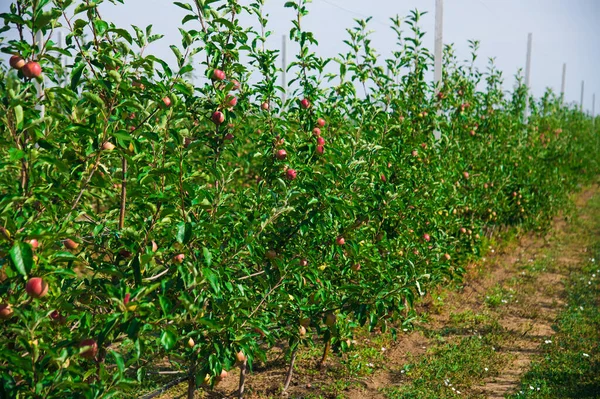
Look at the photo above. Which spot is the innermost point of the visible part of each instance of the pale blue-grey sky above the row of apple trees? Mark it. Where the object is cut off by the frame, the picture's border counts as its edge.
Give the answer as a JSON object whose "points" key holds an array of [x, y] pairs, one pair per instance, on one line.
{"points": [[563, 31]]}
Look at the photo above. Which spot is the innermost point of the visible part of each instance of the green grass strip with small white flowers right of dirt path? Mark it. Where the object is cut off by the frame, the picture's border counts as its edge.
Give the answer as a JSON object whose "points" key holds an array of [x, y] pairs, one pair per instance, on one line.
{"points": [[569, 366]]}
